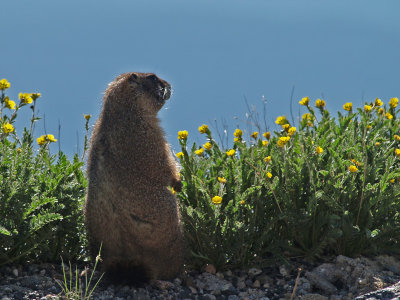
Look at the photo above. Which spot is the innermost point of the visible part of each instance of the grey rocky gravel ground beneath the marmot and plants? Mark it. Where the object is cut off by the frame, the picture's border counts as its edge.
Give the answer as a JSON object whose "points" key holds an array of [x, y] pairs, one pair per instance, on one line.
{"points": [[340, 278]]}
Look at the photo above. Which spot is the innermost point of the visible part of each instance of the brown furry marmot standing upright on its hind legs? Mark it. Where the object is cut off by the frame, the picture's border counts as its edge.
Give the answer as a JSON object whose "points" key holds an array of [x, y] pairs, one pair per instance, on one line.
{"points": [[129, 206]]}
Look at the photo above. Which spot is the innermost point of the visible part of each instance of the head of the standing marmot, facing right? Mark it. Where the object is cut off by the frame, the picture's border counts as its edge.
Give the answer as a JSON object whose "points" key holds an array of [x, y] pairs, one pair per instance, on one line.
{"points": [[145, 90]]}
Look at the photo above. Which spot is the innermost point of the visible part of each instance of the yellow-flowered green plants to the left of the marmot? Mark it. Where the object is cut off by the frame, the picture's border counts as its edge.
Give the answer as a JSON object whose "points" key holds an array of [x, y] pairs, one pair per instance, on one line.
{"points": [[41, 194]]}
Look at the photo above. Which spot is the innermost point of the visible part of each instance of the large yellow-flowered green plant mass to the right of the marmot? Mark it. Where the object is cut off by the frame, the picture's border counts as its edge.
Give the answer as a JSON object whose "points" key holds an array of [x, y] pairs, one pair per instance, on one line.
{"points": [[328, 187]]}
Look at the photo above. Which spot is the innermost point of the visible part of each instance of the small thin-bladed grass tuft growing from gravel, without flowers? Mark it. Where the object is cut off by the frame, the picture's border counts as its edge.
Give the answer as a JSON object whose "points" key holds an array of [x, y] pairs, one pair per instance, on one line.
{"points": [[76, 289]]}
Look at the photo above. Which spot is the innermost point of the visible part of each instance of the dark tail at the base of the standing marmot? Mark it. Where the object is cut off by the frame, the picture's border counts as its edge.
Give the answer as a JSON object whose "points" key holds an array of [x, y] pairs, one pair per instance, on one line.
{"points": [[125, 274]]}
